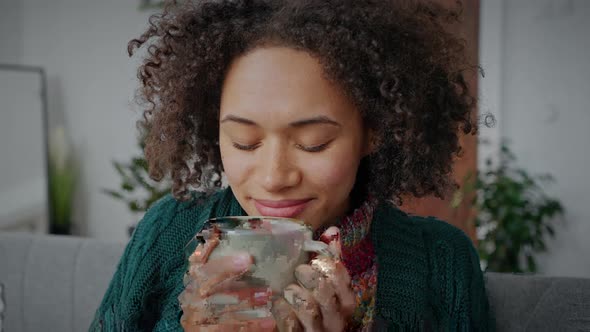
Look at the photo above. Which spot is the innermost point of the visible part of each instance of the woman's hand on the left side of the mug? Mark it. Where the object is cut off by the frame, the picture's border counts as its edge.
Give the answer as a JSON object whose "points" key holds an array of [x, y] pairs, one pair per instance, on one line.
{"points": [[216, 280]]}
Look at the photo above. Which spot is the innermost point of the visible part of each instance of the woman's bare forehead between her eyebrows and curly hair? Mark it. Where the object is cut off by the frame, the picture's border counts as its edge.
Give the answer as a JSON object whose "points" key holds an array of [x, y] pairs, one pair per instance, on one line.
{"points": [[281, 82]]}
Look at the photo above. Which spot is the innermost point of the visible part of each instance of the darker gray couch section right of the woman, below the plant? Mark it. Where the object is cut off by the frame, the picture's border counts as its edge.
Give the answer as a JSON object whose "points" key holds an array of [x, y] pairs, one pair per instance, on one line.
{"points": [[537, 303]]}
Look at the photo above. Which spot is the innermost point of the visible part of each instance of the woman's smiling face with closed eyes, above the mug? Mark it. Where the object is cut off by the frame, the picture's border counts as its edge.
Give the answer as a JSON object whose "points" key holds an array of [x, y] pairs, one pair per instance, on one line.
{"points": [[290, 141]]}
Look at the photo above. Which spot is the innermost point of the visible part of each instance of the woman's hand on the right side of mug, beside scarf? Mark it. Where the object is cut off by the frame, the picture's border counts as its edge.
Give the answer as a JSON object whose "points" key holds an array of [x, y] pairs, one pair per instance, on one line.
{"points": [[323, 299]]}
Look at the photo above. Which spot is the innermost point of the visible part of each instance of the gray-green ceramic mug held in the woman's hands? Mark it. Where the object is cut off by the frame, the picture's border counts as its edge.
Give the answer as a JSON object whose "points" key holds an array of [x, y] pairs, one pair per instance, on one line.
{"points": [[277, 245]]}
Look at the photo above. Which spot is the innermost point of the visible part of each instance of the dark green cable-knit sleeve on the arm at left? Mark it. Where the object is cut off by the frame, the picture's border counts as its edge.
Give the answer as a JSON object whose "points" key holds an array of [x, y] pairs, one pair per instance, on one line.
{"points": [[128, 304]]}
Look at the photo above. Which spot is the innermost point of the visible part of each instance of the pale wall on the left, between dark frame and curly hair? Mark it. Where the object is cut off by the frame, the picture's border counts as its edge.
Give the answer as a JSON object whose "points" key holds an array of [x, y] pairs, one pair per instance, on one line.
{"points": [[82, 45]]}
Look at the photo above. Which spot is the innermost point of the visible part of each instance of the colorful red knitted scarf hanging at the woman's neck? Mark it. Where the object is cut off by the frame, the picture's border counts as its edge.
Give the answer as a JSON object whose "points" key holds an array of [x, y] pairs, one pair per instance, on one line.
{"points": [[358, 255]]}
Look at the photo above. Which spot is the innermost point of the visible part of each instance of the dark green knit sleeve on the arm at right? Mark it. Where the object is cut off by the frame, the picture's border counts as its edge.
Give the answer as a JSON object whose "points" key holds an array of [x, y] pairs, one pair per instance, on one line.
{"points": [[458, 290]]}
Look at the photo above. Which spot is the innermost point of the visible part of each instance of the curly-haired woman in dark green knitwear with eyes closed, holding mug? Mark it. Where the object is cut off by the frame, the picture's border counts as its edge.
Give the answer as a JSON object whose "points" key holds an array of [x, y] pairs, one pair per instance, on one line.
{"points": [[328, 111]]}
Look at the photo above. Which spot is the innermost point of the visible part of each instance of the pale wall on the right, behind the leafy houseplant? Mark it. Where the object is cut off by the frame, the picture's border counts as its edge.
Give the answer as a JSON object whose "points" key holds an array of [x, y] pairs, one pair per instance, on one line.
{"points": [[536, 55]]}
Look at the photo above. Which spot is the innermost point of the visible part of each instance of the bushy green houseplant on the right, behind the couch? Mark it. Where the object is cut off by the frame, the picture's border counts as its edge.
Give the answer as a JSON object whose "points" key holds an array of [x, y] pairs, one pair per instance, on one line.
{"points": [[515, 215]]}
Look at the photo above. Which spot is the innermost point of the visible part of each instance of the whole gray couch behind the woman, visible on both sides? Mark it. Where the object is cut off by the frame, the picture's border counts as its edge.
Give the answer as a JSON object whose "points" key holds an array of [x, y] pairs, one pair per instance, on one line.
{"points": [[55, 284]]}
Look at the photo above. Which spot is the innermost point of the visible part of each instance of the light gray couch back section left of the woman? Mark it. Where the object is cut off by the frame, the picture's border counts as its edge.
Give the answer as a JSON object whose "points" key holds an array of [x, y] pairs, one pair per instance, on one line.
{"points": [[54, 283]]}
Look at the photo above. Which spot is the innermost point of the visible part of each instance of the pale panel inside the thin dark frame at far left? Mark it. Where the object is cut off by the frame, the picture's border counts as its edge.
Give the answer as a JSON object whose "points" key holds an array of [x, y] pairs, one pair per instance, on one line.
{"points": [[23, 172]]}
